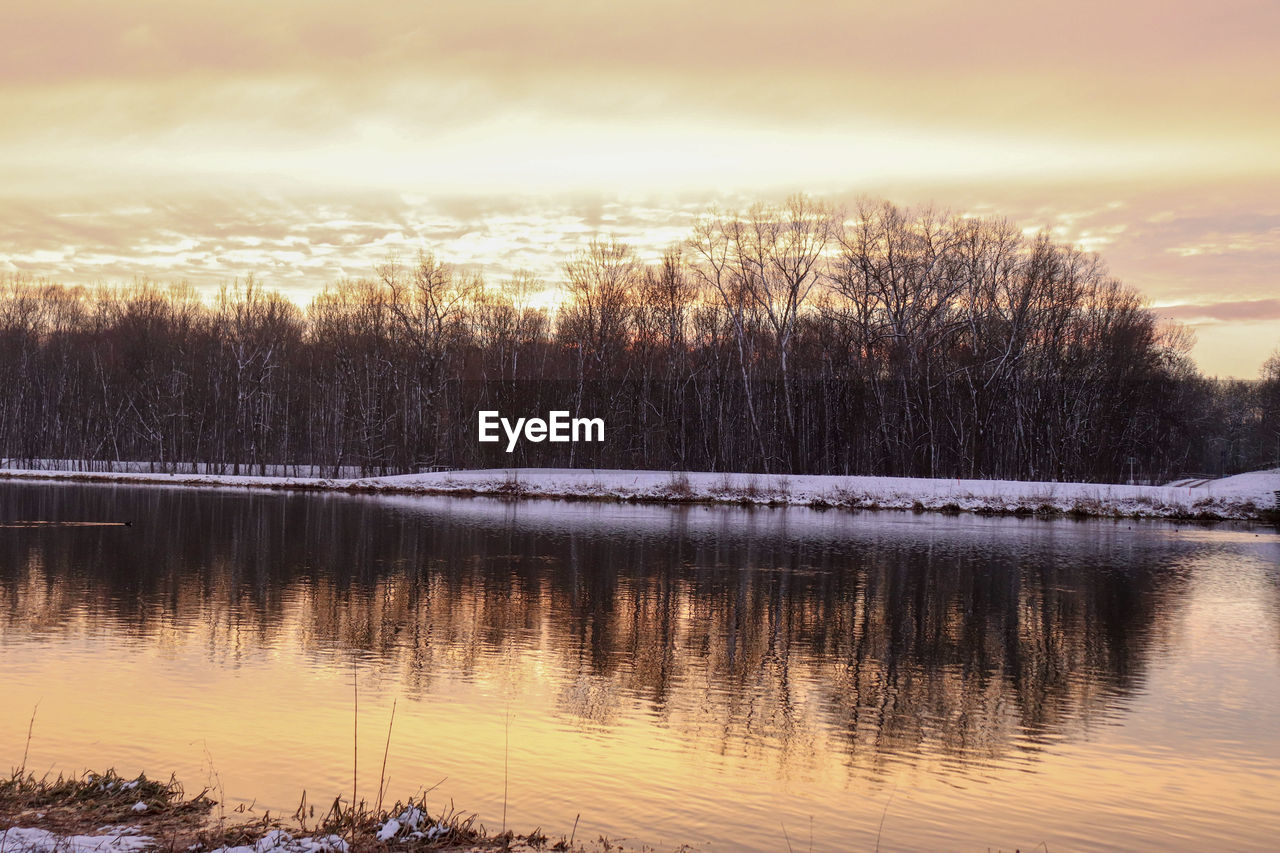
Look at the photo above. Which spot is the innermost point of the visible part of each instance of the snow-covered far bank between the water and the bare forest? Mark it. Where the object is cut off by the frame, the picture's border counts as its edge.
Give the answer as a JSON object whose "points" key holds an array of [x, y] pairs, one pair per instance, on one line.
{"points": [[1245, 496]]}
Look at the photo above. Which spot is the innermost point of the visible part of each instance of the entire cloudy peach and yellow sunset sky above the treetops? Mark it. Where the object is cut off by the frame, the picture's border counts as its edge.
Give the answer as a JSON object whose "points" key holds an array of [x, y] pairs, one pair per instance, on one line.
{"points": [[307, 142]]}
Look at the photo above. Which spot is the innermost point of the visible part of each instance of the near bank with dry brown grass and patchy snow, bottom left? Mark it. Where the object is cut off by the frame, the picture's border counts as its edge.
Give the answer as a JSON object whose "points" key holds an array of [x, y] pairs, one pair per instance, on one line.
{"points": [[107, 814]]}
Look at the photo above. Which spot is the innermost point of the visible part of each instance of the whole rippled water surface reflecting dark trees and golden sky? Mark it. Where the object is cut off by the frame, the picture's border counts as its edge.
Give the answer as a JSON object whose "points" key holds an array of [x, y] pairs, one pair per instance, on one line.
{"points": [[726, 670]]}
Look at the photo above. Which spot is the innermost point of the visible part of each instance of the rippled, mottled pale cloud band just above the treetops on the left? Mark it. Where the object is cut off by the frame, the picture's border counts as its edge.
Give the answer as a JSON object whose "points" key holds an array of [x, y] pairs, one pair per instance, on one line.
{"points": [[301, 244]]}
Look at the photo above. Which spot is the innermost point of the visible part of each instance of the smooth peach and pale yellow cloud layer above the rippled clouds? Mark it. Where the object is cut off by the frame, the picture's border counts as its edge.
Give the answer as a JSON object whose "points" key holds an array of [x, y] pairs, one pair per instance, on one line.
{"points": [[1188, 86]]}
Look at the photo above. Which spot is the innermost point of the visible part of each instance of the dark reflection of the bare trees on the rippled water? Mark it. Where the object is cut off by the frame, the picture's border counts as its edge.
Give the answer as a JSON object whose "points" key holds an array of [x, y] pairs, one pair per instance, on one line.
{"points": [[886, 638]]}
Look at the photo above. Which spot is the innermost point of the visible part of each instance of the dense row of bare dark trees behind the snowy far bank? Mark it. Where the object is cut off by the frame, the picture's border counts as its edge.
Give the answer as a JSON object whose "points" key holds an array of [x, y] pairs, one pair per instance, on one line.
{"points": [[785, 339]]}
